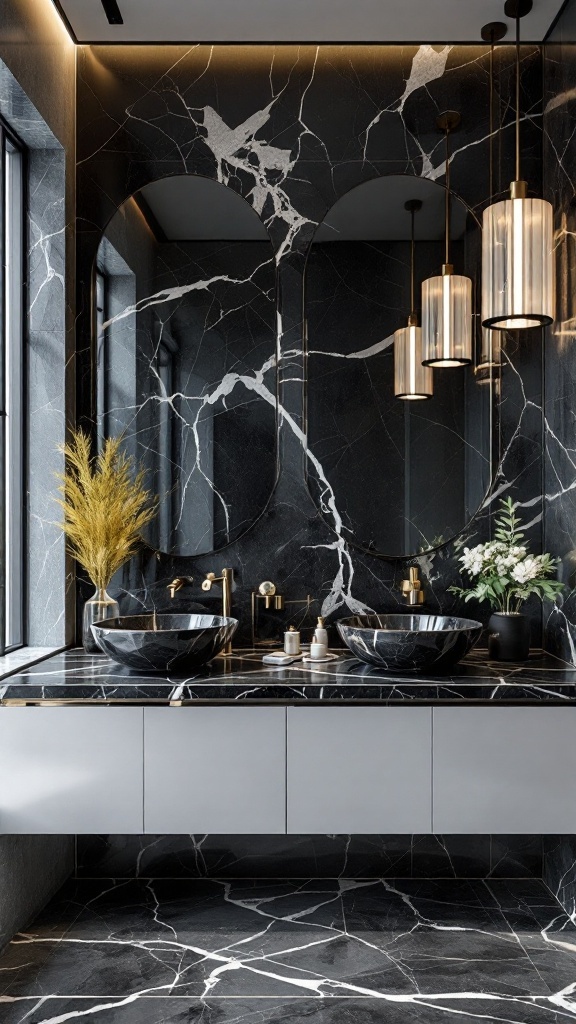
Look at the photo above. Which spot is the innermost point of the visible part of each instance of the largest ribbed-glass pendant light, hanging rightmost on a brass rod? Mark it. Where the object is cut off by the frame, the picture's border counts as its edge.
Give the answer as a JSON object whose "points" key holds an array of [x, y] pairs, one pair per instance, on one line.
{"points": [[518, 282]]}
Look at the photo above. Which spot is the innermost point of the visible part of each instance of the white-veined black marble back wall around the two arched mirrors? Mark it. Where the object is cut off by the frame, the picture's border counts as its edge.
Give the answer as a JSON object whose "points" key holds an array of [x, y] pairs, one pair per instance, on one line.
{"points": [[292, 130]]}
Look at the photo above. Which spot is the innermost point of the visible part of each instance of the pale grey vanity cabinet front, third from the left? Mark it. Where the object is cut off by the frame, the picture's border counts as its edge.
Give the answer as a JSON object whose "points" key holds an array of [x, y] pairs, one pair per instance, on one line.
{"points": [[359, 771]]}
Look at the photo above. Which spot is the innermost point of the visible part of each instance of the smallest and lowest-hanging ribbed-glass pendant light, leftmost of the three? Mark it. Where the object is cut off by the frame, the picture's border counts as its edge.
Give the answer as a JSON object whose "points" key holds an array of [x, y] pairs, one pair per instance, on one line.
{"points": [[413, 381]]}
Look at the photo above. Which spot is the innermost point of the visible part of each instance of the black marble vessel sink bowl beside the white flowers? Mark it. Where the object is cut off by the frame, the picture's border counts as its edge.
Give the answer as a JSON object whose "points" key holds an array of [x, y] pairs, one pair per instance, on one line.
{"points": [[410, 644]]}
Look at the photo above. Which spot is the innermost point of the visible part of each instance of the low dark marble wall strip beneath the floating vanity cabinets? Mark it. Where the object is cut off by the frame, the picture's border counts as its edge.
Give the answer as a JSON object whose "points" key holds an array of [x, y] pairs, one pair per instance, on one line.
{"points": [[303, 857]]}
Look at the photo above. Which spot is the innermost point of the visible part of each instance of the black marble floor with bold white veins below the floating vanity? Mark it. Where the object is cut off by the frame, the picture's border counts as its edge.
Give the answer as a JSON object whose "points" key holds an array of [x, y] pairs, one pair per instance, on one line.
{"points": [[326, 952]]}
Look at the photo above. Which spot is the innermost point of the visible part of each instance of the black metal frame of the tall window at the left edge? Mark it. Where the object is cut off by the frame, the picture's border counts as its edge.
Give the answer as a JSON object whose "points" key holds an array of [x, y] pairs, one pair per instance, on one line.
{"points": [[14, 403]]}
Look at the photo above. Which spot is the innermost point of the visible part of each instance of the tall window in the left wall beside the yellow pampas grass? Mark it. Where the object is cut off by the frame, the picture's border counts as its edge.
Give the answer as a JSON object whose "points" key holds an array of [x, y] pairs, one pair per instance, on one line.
{"points": [[12, 394]]}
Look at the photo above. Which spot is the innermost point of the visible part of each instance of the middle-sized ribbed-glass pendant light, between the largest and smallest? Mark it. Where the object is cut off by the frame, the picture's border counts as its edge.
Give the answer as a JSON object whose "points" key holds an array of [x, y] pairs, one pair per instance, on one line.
{"points": [[447, 322]]}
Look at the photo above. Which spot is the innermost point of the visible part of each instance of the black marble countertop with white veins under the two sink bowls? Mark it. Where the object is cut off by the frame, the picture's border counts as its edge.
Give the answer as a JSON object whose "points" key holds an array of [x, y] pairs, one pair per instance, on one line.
{"points": [[74, 677]]}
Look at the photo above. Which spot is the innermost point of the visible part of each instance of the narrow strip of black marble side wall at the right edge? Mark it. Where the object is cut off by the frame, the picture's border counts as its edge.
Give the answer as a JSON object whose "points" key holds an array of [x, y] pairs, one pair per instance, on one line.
{"points": [[560, 365]]}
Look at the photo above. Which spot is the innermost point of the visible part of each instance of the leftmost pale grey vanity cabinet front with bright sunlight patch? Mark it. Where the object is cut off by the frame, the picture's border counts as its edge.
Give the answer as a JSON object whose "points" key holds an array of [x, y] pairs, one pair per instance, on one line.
{"points": [[71, 771]]}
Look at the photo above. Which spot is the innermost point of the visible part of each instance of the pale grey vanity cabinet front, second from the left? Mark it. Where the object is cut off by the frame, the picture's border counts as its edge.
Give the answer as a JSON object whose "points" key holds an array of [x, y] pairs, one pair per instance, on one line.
{"points": [[216, 771]]}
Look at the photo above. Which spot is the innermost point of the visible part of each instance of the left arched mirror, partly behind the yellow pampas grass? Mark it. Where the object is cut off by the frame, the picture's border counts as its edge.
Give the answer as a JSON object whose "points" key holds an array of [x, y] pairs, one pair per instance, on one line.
{"points": [[186, 357]]}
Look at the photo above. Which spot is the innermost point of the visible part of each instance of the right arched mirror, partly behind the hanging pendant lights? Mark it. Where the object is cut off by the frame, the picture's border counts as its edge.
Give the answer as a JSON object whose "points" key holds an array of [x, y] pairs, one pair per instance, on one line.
{"points": [[403, 477]]}
